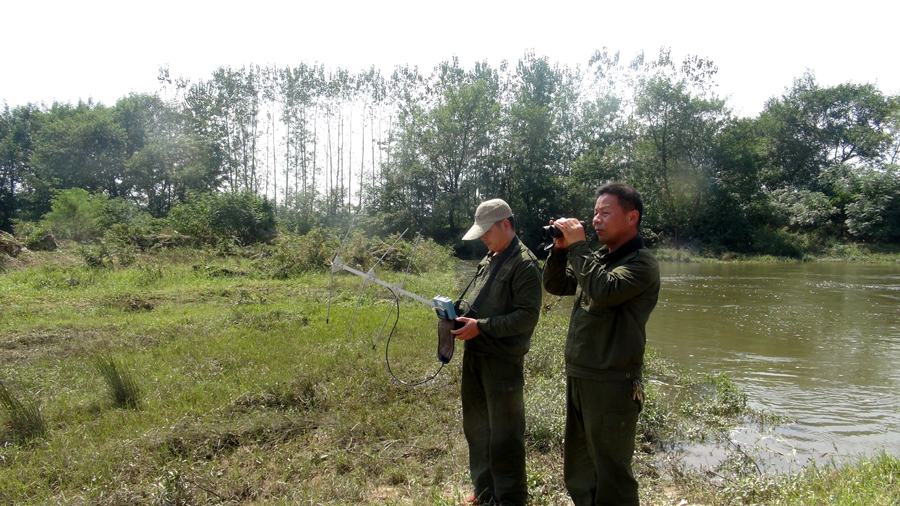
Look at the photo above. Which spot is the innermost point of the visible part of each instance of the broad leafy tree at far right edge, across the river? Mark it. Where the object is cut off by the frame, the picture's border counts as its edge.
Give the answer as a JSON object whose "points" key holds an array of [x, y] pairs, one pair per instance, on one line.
{"points": [[826, 147]]}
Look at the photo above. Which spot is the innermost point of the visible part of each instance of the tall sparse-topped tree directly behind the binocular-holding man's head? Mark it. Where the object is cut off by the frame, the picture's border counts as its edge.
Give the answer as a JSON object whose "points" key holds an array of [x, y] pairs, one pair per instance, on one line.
{"points": [[656, 128]]}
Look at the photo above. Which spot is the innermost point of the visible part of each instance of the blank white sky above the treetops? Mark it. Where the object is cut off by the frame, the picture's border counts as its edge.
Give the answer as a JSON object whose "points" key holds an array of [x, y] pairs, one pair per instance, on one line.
{"points": [[71, 50]]}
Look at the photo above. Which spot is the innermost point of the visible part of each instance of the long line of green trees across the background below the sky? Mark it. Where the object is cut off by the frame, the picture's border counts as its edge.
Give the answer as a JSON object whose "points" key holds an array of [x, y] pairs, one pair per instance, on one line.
{"points": [[817, 167]]}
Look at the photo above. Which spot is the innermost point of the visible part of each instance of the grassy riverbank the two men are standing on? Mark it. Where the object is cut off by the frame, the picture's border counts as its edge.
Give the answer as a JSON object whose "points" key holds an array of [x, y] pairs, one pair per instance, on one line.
{"points": [[242, 393]]}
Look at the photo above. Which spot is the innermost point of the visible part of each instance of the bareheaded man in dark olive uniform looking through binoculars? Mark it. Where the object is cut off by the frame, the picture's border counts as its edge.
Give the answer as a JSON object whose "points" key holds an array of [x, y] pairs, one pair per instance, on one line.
{"points": [[616, 289]]}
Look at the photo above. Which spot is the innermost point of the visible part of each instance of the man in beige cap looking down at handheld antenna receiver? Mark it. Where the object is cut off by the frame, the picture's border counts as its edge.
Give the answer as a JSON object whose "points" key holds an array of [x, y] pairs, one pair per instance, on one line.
{"points": [[506, 301]]}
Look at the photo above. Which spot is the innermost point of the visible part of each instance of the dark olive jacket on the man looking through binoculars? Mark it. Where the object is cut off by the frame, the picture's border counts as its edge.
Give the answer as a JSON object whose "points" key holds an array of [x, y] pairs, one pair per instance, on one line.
{"points": [[614, 296]]}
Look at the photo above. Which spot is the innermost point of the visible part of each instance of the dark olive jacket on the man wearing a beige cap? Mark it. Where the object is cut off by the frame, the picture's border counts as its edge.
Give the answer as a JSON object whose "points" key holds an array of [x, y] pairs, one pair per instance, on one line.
{"points": [[509, 313]]}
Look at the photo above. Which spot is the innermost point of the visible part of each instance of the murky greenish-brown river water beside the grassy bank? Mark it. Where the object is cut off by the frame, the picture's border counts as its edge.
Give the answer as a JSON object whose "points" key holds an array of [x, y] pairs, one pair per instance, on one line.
{"points": [[817, 342]]}
